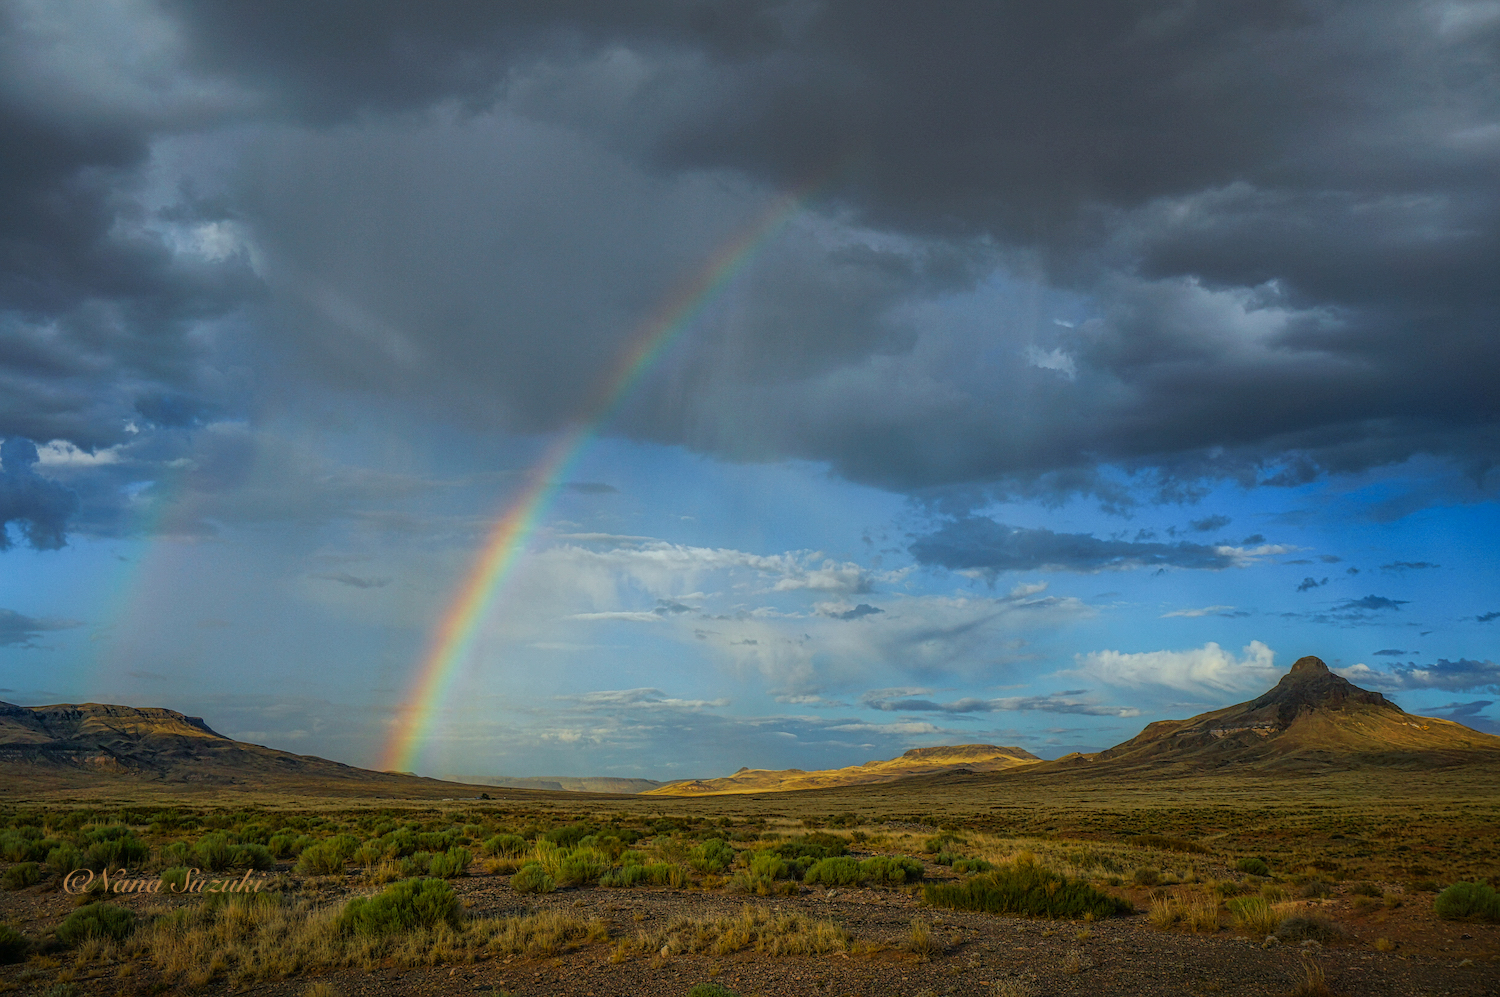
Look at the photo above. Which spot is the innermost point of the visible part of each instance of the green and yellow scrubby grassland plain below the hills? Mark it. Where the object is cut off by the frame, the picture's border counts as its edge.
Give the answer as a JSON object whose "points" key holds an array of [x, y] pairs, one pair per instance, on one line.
{"points": [[650, 891]]}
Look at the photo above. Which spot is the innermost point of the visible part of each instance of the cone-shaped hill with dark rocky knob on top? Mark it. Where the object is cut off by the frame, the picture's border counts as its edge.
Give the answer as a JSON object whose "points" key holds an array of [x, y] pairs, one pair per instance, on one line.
{"points": [[1313, 720]]}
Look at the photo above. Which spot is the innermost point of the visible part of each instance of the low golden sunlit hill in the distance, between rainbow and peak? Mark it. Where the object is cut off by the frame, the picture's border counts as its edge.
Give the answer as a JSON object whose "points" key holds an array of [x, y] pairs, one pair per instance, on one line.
{"points": [[965, 758]]}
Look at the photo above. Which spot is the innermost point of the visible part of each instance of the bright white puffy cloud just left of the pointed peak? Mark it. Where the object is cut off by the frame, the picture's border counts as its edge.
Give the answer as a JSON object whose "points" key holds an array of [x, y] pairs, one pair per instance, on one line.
{"points": [[1207, 669]]}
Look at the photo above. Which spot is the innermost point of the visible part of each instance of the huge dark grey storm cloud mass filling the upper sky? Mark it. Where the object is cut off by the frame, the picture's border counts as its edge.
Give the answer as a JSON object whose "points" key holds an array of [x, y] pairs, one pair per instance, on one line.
{"points": [[1282, 220]]}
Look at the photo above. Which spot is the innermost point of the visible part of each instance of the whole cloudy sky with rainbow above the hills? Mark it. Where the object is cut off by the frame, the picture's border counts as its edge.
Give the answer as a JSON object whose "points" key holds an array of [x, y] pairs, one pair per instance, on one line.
{"points": [[653, 391]]}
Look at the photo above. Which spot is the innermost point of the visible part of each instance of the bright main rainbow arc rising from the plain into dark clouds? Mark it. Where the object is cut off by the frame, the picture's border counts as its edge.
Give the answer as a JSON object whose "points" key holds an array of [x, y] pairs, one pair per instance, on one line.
{"points": [[508, 540]]}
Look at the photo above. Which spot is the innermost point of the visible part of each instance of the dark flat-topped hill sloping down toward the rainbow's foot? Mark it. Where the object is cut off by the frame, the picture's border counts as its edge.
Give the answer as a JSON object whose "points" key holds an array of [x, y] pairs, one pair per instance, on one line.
{"points": [[92, 744]]}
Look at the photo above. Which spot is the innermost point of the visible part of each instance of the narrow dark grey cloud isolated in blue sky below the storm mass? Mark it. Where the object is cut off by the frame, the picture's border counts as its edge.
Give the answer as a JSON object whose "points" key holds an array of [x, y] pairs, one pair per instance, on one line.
{"points": [[976, 543]]}
